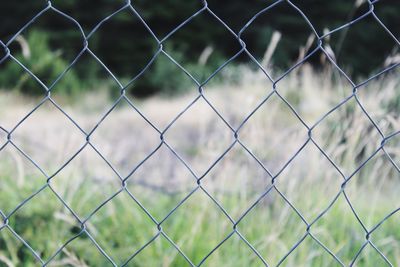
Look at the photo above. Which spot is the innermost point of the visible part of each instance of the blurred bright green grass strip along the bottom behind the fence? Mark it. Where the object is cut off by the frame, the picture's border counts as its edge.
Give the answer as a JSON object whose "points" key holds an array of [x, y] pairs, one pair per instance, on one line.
{"points": [[197, 227]]}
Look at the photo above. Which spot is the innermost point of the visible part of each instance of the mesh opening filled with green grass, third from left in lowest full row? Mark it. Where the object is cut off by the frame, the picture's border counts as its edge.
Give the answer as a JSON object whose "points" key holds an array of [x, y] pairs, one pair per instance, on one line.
{"points": [[197, 226]]}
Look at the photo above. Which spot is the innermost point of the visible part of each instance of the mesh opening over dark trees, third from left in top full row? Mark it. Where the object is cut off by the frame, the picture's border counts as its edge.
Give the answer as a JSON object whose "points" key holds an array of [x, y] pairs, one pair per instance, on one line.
{"points": [[202, 50]]}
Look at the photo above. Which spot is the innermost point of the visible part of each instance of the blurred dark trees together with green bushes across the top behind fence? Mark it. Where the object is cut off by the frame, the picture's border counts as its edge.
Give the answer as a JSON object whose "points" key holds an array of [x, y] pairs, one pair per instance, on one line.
{"points": [[125, 45]]}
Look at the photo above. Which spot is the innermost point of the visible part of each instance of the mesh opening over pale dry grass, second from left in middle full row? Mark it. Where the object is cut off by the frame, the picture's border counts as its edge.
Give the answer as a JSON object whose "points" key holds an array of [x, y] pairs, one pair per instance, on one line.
{"points": [[119, 138]]}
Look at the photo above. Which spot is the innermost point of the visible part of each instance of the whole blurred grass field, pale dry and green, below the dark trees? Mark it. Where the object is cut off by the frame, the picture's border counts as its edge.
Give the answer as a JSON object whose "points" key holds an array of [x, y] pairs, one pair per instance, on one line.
{"points": [[273, 134]]}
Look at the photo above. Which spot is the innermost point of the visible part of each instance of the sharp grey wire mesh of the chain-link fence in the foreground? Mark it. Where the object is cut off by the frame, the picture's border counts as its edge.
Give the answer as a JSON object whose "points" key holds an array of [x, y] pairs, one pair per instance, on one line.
{"points": [[235, 131]]}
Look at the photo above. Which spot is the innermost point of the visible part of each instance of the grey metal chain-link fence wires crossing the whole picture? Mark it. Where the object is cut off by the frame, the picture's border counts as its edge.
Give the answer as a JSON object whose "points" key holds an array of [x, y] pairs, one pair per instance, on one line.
{"points": [[235, 131]]}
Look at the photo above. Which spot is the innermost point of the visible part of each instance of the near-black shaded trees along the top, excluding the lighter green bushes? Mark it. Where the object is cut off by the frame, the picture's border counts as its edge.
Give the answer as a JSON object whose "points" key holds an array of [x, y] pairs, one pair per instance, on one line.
{"points": [[126, 46]]}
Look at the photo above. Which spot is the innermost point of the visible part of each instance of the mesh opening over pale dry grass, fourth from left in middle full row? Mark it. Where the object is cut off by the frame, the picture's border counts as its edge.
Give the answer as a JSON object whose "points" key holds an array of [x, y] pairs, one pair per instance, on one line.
{"points": [[274, 125]]}
